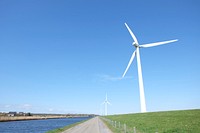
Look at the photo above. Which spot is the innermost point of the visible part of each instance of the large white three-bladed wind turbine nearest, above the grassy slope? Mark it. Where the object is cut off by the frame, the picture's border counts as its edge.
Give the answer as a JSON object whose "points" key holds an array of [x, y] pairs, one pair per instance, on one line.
{"points": [[137, 53]]}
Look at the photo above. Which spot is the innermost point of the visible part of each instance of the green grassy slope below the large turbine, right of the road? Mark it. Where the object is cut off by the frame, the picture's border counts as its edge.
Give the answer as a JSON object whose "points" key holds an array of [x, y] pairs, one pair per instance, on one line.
{"points": [[185, 121]]}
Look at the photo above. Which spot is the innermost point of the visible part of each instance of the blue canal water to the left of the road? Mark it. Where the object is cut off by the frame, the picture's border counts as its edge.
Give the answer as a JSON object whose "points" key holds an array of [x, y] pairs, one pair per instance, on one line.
{"points": [[37, 126]]}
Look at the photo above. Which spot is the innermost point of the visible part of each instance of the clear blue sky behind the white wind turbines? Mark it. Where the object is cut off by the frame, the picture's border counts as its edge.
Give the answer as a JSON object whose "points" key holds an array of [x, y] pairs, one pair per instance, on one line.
{"points": [[64, 56]]}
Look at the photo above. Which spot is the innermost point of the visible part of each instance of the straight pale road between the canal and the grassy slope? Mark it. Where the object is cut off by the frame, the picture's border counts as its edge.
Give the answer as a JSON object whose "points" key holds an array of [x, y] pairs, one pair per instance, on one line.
{"points": [[94, 125]]}
